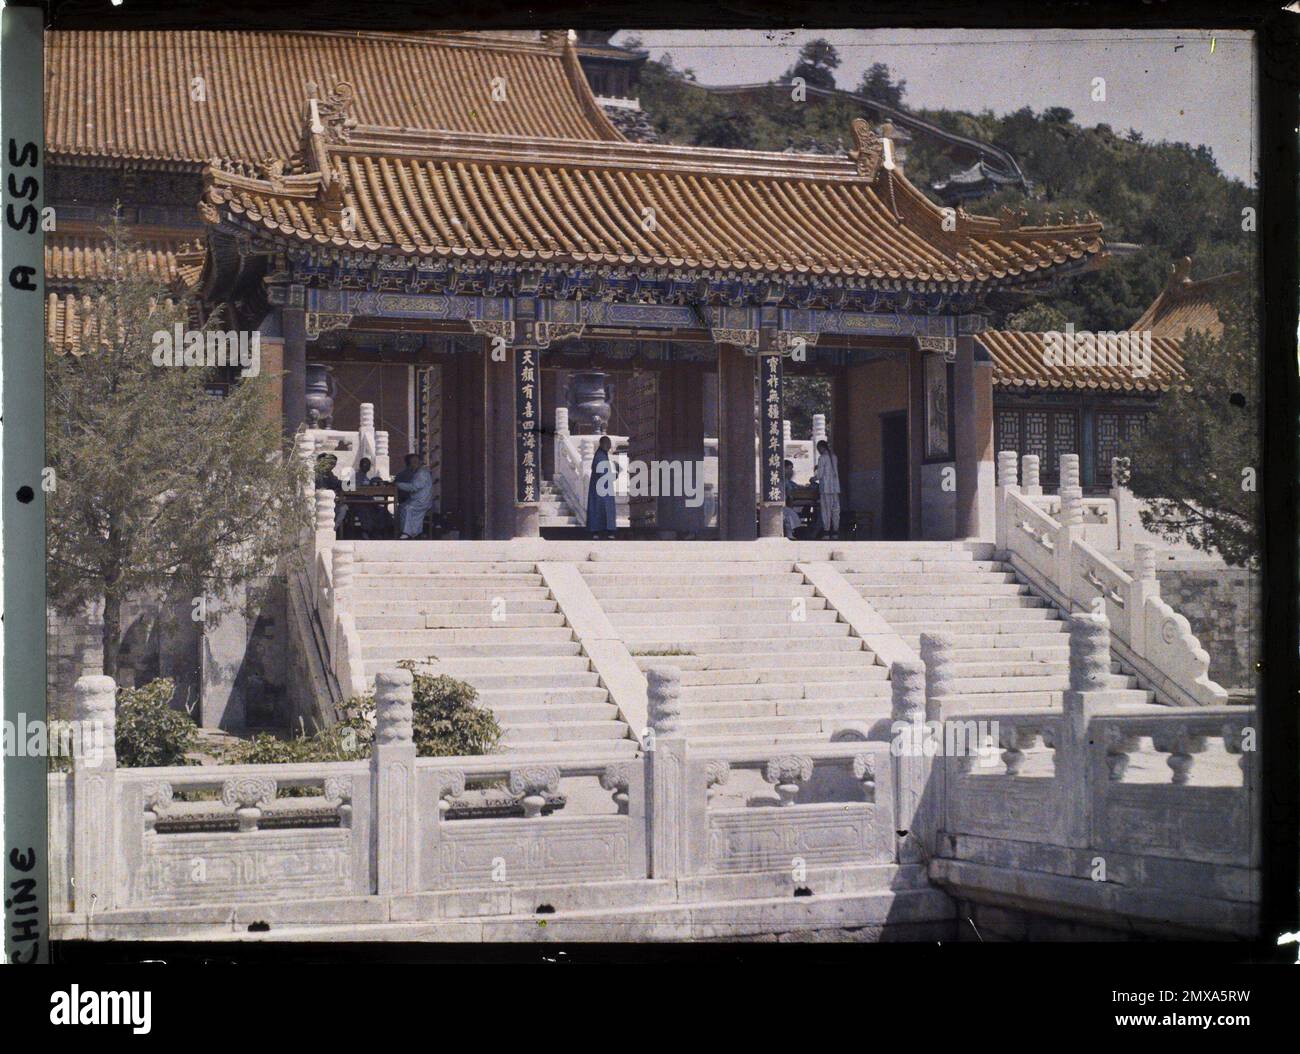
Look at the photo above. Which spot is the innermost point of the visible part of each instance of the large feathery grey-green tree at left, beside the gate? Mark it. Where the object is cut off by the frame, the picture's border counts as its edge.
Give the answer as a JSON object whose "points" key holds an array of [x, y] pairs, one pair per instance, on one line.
{"points": [[157, 483]]}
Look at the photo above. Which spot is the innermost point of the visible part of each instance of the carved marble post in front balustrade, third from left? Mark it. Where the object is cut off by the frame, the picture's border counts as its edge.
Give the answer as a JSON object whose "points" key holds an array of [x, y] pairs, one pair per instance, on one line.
{"points": [[665, 801]]}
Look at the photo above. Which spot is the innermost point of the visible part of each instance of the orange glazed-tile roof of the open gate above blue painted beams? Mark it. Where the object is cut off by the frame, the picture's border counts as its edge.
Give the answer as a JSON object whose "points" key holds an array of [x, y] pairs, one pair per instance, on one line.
{"points": [[437, 194]]}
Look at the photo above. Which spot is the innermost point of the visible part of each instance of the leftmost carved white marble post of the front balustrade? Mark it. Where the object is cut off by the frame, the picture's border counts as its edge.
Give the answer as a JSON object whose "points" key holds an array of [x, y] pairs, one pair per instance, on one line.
{"points": [[94, 795]]}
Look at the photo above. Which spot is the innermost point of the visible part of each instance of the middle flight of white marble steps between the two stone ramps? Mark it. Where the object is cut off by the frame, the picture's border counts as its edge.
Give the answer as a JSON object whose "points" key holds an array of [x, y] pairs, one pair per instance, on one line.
{"points": [[762, 658]]}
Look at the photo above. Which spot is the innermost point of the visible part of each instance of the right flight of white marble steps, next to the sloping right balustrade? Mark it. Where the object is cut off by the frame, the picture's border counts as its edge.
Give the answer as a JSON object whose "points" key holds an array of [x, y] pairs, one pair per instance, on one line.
{"points": [[1012, 647]]}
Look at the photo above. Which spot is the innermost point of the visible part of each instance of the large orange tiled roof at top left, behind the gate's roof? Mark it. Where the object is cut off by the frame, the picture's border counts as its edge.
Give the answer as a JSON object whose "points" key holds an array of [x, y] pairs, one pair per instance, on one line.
{"points": [[132, 96]]}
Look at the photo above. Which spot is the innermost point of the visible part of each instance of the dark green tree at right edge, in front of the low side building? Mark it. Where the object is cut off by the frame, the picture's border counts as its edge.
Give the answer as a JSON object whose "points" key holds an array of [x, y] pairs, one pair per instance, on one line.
{"points": [[1197, 462]]}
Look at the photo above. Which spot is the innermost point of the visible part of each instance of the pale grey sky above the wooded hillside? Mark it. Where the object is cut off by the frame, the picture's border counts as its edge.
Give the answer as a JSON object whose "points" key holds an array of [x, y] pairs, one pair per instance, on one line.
{"points": [[1195, 88]]}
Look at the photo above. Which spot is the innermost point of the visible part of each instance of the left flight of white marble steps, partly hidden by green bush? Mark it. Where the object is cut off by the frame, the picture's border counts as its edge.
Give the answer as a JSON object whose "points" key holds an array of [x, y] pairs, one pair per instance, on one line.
{"points": [[493, 624]]}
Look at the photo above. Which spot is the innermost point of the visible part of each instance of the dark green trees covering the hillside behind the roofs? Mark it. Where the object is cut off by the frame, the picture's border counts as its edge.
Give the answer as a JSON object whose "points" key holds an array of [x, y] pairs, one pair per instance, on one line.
{"points": [[1171, 199]]}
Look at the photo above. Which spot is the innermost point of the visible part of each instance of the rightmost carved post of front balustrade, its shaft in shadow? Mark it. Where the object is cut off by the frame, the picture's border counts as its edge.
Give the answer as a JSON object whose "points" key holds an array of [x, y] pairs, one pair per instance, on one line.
{"points": [[1090, 667]]}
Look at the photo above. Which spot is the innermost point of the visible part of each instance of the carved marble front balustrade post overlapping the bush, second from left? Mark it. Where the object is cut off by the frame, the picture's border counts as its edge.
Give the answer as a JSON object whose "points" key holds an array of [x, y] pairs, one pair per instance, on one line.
{"points": [[397, 829]]}
